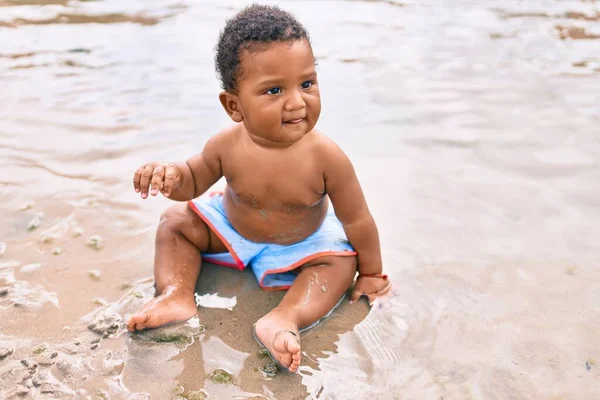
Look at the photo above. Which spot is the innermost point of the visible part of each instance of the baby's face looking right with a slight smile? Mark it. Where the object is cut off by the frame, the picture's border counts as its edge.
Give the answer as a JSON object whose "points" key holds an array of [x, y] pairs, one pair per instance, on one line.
{"points": [[278, 92]]}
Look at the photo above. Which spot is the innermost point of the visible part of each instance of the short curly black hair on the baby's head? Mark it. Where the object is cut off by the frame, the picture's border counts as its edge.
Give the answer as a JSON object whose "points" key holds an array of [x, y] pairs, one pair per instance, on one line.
{"points": [[251, 29]]}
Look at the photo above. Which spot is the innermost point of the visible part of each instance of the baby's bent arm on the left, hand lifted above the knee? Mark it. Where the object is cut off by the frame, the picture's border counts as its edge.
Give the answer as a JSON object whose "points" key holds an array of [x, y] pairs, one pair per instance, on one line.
{"points": [[185, 180]]}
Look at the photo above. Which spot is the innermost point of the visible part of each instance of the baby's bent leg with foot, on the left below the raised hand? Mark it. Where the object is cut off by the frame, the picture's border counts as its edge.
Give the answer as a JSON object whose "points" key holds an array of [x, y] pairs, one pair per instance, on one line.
{"points": [[180, 238]]}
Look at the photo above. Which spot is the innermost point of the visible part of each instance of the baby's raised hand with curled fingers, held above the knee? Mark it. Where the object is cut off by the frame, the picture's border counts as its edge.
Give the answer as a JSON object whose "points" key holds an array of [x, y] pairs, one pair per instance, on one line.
{"points": [[157, 176]]}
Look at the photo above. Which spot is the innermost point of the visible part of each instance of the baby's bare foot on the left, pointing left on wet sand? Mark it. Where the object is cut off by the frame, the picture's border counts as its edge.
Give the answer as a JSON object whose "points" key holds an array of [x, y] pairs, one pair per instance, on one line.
{"points": [[171, 306]]}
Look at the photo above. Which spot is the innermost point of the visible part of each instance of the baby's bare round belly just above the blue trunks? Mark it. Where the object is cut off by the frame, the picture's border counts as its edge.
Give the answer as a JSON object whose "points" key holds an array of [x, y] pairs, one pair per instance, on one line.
{"points": [[276, 224]]}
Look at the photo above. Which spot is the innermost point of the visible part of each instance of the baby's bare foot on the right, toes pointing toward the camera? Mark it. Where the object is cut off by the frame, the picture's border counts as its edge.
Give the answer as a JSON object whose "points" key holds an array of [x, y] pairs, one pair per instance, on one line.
{"points": [[276, 334]]}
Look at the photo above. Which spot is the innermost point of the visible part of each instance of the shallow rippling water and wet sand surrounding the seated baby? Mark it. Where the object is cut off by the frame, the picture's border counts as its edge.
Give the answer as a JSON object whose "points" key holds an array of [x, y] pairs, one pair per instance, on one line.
{"points": [[472, 125]]}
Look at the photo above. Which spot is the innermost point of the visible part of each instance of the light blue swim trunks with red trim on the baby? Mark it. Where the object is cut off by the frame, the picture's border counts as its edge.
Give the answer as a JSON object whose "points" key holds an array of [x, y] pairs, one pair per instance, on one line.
{"points": [[272, 264]]}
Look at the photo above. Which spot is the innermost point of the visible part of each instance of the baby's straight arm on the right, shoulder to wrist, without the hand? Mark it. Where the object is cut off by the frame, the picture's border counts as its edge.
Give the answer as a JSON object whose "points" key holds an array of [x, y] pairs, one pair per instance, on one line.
{"points": [[343, 188]]}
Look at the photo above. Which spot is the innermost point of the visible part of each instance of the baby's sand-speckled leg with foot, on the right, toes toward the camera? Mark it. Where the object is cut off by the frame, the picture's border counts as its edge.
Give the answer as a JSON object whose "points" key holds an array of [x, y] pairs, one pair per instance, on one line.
{"points": [[315, 291]]}
